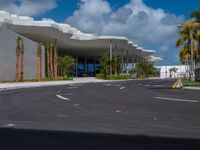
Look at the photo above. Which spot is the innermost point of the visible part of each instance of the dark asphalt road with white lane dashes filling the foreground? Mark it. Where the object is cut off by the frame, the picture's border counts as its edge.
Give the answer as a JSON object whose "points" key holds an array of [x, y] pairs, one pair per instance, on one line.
{"points": [[142, 114]]}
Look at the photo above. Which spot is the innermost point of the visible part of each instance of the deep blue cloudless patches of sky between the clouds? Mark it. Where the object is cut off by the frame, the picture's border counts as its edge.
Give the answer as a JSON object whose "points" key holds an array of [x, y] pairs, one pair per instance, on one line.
{"points": [[66, 8]]}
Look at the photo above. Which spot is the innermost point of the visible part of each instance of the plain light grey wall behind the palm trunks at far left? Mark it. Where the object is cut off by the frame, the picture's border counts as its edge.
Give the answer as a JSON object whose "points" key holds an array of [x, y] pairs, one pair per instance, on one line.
{"points": [[8, 56]]}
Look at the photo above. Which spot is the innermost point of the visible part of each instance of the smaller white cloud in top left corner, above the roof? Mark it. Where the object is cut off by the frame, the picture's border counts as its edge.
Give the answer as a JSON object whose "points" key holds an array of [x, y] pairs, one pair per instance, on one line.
{"points": [[27, 7]]}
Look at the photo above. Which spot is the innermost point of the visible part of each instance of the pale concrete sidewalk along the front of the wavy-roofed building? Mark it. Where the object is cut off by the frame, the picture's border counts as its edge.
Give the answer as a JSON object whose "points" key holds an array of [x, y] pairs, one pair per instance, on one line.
{"points": [[10, 86]]}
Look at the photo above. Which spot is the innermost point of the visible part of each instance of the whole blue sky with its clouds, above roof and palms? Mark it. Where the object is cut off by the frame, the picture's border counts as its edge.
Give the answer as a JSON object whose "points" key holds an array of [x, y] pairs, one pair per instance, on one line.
{"points": [[151, 24]]}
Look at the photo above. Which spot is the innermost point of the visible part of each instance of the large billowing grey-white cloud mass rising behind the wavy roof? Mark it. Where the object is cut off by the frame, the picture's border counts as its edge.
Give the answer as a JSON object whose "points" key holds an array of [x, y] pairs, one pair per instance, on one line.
{"points": [[146, 26]]}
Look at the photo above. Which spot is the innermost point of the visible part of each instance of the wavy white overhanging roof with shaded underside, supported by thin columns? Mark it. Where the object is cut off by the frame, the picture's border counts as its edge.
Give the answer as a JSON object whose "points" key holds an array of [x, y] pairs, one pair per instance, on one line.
{"points": [[69, 39]]}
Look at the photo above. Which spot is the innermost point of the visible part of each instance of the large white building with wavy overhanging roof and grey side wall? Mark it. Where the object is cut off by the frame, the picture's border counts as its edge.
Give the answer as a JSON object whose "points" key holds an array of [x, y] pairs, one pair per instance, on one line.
{"points": [[85, 48]]}
